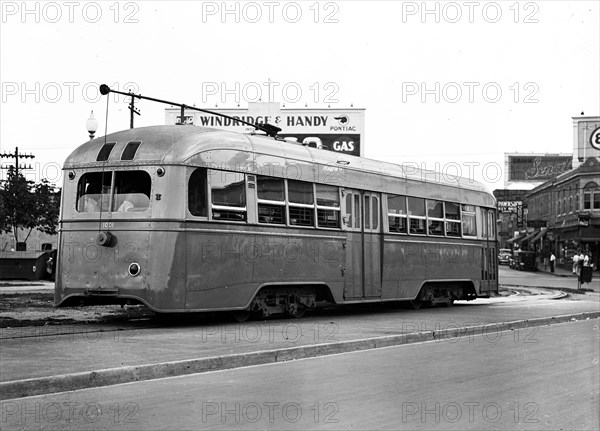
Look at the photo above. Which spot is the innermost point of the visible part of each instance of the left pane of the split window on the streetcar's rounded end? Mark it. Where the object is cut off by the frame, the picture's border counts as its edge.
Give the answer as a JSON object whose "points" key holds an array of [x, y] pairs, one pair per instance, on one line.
{"points": [[93, 192]]}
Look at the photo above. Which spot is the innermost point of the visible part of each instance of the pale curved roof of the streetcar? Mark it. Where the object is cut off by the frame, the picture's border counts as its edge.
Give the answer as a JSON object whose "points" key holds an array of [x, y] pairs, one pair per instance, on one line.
{"points": [[253, 153]]}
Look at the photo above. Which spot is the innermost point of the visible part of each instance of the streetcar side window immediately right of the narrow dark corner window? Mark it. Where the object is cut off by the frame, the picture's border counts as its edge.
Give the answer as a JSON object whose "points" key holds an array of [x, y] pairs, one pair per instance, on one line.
{"points": [[228, 195]]}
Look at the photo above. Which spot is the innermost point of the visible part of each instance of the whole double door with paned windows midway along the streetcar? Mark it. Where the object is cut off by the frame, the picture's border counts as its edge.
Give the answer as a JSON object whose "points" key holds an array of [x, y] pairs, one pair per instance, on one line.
{"points": [[362, 222]]}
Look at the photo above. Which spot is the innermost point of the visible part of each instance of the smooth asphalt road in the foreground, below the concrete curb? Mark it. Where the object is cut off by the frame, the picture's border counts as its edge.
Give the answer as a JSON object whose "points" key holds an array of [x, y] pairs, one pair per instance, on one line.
{"points": [[547, 380]]}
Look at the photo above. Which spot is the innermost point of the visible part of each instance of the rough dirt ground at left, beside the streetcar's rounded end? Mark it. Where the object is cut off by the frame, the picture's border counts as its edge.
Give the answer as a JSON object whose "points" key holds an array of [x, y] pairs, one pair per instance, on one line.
{"points": [[36, 309]]}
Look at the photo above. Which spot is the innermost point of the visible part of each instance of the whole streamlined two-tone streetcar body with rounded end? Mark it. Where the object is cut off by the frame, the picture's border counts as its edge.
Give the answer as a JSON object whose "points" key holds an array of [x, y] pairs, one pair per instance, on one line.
{"points": [[185, 218]]}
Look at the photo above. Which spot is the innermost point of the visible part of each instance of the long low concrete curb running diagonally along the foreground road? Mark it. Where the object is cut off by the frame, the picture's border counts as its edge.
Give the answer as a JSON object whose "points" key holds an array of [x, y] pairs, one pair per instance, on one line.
{"points": [[113, 376]]}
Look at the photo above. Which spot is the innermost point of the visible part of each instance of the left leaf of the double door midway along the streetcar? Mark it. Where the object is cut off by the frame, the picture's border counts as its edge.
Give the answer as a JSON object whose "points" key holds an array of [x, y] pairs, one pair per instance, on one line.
{"points": [[352, 223]]}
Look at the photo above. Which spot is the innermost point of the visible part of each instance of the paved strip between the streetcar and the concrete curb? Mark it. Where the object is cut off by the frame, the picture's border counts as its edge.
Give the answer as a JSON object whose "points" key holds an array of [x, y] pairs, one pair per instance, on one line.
{"points": [[101, 346]]}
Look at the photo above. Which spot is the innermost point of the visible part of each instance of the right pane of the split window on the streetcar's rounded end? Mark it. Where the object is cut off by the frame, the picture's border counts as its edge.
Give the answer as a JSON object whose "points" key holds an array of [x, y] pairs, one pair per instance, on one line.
{"points": [[132, 191]]}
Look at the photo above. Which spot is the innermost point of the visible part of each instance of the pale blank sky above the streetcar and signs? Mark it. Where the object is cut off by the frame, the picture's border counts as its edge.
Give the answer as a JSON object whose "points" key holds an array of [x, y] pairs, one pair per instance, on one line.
{"points": [[450, 86]]}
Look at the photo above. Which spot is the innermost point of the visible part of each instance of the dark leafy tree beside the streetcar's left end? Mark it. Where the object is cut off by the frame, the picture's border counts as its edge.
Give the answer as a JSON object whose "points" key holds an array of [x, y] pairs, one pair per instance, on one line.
{"points": [[26, 205]]}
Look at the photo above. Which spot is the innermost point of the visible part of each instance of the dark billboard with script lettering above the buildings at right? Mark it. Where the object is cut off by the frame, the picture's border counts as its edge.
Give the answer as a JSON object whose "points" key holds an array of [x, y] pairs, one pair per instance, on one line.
{"points": [[536, 168]]}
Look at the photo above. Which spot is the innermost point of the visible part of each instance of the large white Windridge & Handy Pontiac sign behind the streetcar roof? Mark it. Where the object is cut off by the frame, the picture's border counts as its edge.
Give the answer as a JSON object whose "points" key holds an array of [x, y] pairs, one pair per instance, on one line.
{"points": [[340, 130]]}
